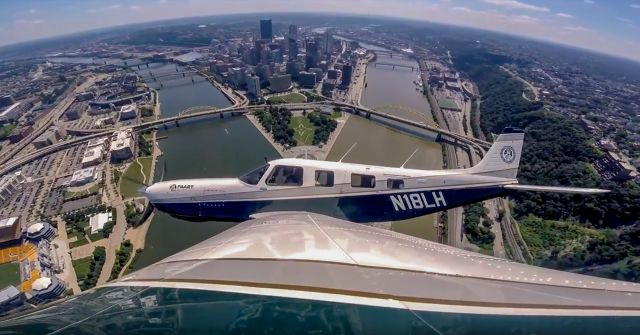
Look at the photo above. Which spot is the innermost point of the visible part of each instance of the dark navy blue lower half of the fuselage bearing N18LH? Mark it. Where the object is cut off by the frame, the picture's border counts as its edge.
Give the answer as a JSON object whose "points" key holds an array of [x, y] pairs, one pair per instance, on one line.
{"points": [[372, 207]]}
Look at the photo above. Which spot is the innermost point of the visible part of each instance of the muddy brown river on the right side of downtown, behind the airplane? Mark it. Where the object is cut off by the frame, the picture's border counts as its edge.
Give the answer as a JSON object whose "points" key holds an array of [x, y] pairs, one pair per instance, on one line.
{"points": [[394, 92]]}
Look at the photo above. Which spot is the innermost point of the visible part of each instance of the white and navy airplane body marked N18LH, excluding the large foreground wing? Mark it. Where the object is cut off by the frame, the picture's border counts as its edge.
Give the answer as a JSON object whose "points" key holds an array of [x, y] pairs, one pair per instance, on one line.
{"points": [[357, 192]]}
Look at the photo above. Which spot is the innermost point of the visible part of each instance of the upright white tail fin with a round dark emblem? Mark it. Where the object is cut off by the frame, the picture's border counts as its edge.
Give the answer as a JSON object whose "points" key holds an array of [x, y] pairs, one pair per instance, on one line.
{"points": [[503, 158]]}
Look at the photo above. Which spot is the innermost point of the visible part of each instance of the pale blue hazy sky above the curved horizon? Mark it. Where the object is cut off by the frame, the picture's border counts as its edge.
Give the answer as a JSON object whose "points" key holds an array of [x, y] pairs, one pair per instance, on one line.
{"points": [[609, 26]]}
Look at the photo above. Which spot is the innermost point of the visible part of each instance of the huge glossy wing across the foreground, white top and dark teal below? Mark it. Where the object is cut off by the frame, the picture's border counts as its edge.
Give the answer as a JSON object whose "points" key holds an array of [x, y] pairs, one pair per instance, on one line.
{"points": [[308, 273]]}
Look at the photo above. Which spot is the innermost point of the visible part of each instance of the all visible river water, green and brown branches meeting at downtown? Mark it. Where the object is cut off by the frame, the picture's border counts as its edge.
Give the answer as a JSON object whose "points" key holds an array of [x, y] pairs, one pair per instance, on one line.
{"points": [[232, 146]]}
